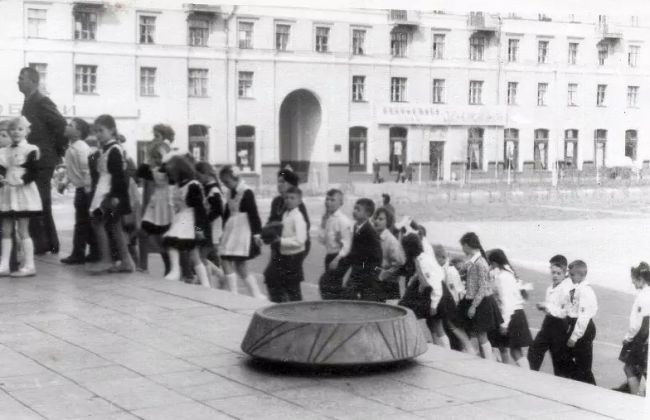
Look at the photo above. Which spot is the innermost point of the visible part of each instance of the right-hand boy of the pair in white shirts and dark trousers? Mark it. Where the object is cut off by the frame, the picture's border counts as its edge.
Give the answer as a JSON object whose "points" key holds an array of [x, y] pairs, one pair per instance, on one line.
{"points": [[583, 307]]}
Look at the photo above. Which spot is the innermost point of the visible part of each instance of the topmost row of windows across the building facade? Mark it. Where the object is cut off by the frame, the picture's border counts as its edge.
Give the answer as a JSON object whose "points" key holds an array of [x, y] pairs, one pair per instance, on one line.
{"points": [[199, 31]]}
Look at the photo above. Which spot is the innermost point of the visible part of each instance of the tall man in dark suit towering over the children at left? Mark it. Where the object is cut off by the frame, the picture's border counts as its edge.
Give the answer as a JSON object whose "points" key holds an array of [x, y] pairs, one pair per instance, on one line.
{"points": [[47, 132]]}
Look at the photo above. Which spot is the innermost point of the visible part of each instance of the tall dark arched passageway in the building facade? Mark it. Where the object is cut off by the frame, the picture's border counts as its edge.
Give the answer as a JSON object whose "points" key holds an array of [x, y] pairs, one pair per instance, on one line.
{"points": [[300, 121]]}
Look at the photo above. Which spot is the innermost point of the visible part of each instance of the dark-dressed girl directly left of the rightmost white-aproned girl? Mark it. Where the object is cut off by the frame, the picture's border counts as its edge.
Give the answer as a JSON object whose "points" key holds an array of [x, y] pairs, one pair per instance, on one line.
{"points": [[215, 206]]}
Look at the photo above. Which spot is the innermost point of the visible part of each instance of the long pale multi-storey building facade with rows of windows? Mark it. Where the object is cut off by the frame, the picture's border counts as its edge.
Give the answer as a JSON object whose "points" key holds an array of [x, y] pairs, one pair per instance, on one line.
{"points": [[335, 92]]}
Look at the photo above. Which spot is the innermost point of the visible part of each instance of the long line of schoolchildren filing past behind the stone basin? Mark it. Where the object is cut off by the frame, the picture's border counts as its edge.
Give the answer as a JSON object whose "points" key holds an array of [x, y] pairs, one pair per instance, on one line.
{"points": [[206, 225]]}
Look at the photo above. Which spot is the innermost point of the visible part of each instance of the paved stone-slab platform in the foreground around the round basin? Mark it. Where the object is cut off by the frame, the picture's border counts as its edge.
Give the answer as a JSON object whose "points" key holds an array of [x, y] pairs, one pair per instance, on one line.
{"points": [[131, 346]]}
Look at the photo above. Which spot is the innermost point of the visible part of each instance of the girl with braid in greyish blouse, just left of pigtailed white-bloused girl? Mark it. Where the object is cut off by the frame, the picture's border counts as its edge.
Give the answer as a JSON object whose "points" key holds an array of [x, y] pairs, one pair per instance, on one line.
{"points": [[478, 311]]}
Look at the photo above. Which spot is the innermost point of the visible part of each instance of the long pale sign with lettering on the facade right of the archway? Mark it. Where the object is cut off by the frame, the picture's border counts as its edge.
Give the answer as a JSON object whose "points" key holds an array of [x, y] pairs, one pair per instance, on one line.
{"points": [[394, 113]]}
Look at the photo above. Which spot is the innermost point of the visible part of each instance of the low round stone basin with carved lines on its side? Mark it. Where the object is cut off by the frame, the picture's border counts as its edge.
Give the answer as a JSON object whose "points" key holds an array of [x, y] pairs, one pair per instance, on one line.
{"points": [[334, 333]]}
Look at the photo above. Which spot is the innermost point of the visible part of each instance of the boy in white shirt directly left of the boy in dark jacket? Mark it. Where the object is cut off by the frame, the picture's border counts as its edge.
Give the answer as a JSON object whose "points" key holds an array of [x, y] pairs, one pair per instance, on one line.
{"points": [[336, 234]]}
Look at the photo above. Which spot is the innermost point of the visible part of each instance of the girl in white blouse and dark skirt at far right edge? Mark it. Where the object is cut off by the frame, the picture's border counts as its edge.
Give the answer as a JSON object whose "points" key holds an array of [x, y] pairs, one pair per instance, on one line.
{"points": [[635, 344]]}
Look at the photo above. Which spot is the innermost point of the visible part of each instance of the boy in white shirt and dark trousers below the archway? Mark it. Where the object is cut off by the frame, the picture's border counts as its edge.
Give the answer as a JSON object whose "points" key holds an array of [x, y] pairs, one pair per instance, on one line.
{"points": [[284, 274]]}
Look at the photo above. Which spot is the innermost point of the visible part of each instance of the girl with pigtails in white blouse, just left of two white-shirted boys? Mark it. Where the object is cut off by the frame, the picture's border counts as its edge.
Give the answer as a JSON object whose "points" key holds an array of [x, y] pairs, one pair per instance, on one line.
{"points": [[513, 333]]}
